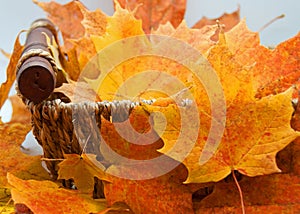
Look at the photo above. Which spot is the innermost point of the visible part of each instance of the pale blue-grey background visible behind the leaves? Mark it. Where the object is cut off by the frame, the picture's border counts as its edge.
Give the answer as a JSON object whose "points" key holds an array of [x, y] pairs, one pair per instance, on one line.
{"points": [[18, 15]]}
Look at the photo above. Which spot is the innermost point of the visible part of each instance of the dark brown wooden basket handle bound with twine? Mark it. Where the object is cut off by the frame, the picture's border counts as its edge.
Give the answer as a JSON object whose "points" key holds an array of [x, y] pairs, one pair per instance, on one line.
{"points": [[36, 70]]}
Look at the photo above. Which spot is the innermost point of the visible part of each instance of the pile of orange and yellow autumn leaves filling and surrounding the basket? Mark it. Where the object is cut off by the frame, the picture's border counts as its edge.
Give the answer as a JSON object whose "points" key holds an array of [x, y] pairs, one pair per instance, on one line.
{"points": [[257, 85]]}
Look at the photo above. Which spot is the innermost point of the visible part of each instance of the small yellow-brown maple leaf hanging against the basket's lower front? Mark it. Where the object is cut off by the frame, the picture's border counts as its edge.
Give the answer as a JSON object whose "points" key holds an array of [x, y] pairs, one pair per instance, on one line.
{"points": [[82, 168]]}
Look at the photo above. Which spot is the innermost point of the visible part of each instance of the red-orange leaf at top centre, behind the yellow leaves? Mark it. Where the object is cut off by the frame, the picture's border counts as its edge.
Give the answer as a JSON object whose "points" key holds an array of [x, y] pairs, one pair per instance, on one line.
{"points": [[156, 12]]}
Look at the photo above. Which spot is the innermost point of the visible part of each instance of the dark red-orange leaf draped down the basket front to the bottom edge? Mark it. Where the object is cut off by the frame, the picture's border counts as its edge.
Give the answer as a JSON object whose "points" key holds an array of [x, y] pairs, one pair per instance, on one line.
{"points": [[141, 176]]}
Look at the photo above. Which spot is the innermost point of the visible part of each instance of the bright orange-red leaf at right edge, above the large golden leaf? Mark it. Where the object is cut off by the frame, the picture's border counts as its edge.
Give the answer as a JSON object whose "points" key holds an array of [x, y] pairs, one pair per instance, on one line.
{"points": [[278, 69]]}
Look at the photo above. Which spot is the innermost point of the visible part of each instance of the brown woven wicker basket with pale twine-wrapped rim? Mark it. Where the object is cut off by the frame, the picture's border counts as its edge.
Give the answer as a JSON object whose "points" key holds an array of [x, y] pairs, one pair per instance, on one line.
{"points": [[56, 126]]}
